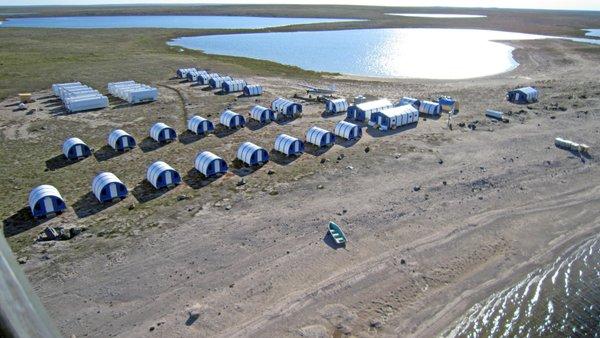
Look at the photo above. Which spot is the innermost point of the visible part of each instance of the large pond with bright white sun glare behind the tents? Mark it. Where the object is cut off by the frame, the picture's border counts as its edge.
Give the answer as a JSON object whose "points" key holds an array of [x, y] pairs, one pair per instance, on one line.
{"points": [[412, 53]]}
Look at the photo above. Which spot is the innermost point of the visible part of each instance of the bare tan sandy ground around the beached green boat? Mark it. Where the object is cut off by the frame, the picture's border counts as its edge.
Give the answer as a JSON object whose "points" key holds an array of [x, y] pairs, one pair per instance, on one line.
{"points": [[493, 203]]}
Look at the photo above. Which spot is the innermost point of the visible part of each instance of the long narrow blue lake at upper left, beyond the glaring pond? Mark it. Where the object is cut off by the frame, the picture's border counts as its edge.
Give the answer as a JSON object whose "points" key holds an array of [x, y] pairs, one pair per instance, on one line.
{"points": [[161, 21]]}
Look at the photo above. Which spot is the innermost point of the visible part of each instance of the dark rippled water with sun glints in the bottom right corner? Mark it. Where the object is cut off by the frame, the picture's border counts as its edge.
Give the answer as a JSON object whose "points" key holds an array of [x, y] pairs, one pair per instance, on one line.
{"points": [[559, 300]]}
